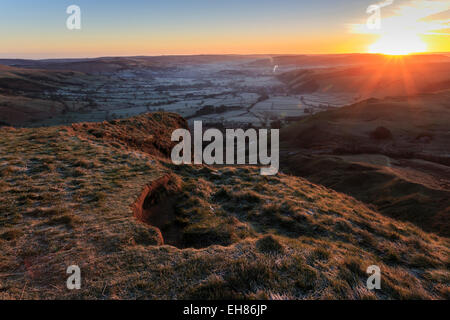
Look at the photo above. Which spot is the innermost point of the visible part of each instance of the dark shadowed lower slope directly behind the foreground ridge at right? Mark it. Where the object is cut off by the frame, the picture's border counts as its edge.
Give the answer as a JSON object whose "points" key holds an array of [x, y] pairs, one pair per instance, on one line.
{"points": [[384, 187]]}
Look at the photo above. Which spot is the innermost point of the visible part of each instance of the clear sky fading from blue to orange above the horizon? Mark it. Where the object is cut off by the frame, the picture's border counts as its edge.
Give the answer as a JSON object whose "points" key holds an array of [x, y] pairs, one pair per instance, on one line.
{"points": [[37, 29]]}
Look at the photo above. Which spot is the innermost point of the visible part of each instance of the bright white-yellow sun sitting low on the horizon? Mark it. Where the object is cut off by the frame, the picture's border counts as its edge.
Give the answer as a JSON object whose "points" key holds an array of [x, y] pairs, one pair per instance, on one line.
{"points": [[398, 44]]}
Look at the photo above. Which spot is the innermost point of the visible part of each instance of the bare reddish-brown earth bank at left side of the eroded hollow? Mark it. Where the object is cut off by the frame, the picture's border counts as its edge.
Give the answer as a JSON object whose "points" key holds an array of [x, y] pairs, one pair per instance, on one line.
{"points": [[156, 207]]}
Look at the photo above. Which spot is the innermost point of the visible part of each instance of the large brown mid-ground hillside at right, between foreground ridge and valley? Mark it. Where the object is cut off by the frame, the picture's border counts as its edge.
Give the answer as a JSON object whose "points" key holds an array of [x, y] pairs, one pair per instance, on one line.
{"points": [[393, 153]]}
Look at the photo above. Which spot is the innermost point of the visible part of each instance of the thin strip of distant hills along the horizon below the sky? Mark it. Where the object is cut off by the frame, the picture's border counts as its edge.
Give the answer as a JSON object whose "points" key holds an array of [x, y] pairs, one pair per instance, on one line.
{"points": [[111, 64]]}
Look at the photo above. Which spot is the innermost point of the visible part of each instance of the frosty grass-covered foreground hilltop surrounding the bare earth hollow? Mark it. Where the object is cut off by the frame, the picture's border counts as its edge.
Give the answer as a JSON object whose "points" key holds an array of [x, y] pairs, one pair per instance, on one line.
{"points": [[65, 198]]}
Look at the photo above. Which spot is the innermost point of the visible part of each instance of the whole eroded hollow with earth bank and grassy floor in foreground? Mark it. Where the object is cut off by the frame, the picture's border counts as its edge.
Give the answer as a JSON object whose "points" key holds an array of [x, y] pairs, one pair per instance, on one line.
{"points": [[180, 213]]}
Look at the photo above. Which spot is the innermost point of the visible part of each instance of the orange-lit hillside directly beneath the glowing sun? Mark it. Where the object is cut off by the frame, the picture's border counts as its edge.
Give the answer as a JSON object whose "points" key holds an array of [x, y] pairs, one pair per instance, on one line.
{"points": [[391, 77]]}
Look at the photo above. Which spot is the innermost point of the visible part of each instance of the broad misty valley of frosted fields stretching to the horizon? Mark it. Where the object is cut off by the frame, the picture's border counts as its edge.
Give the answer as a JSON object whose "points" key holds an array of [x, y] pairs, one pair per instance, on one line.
{"points": [[243, 89]]}
